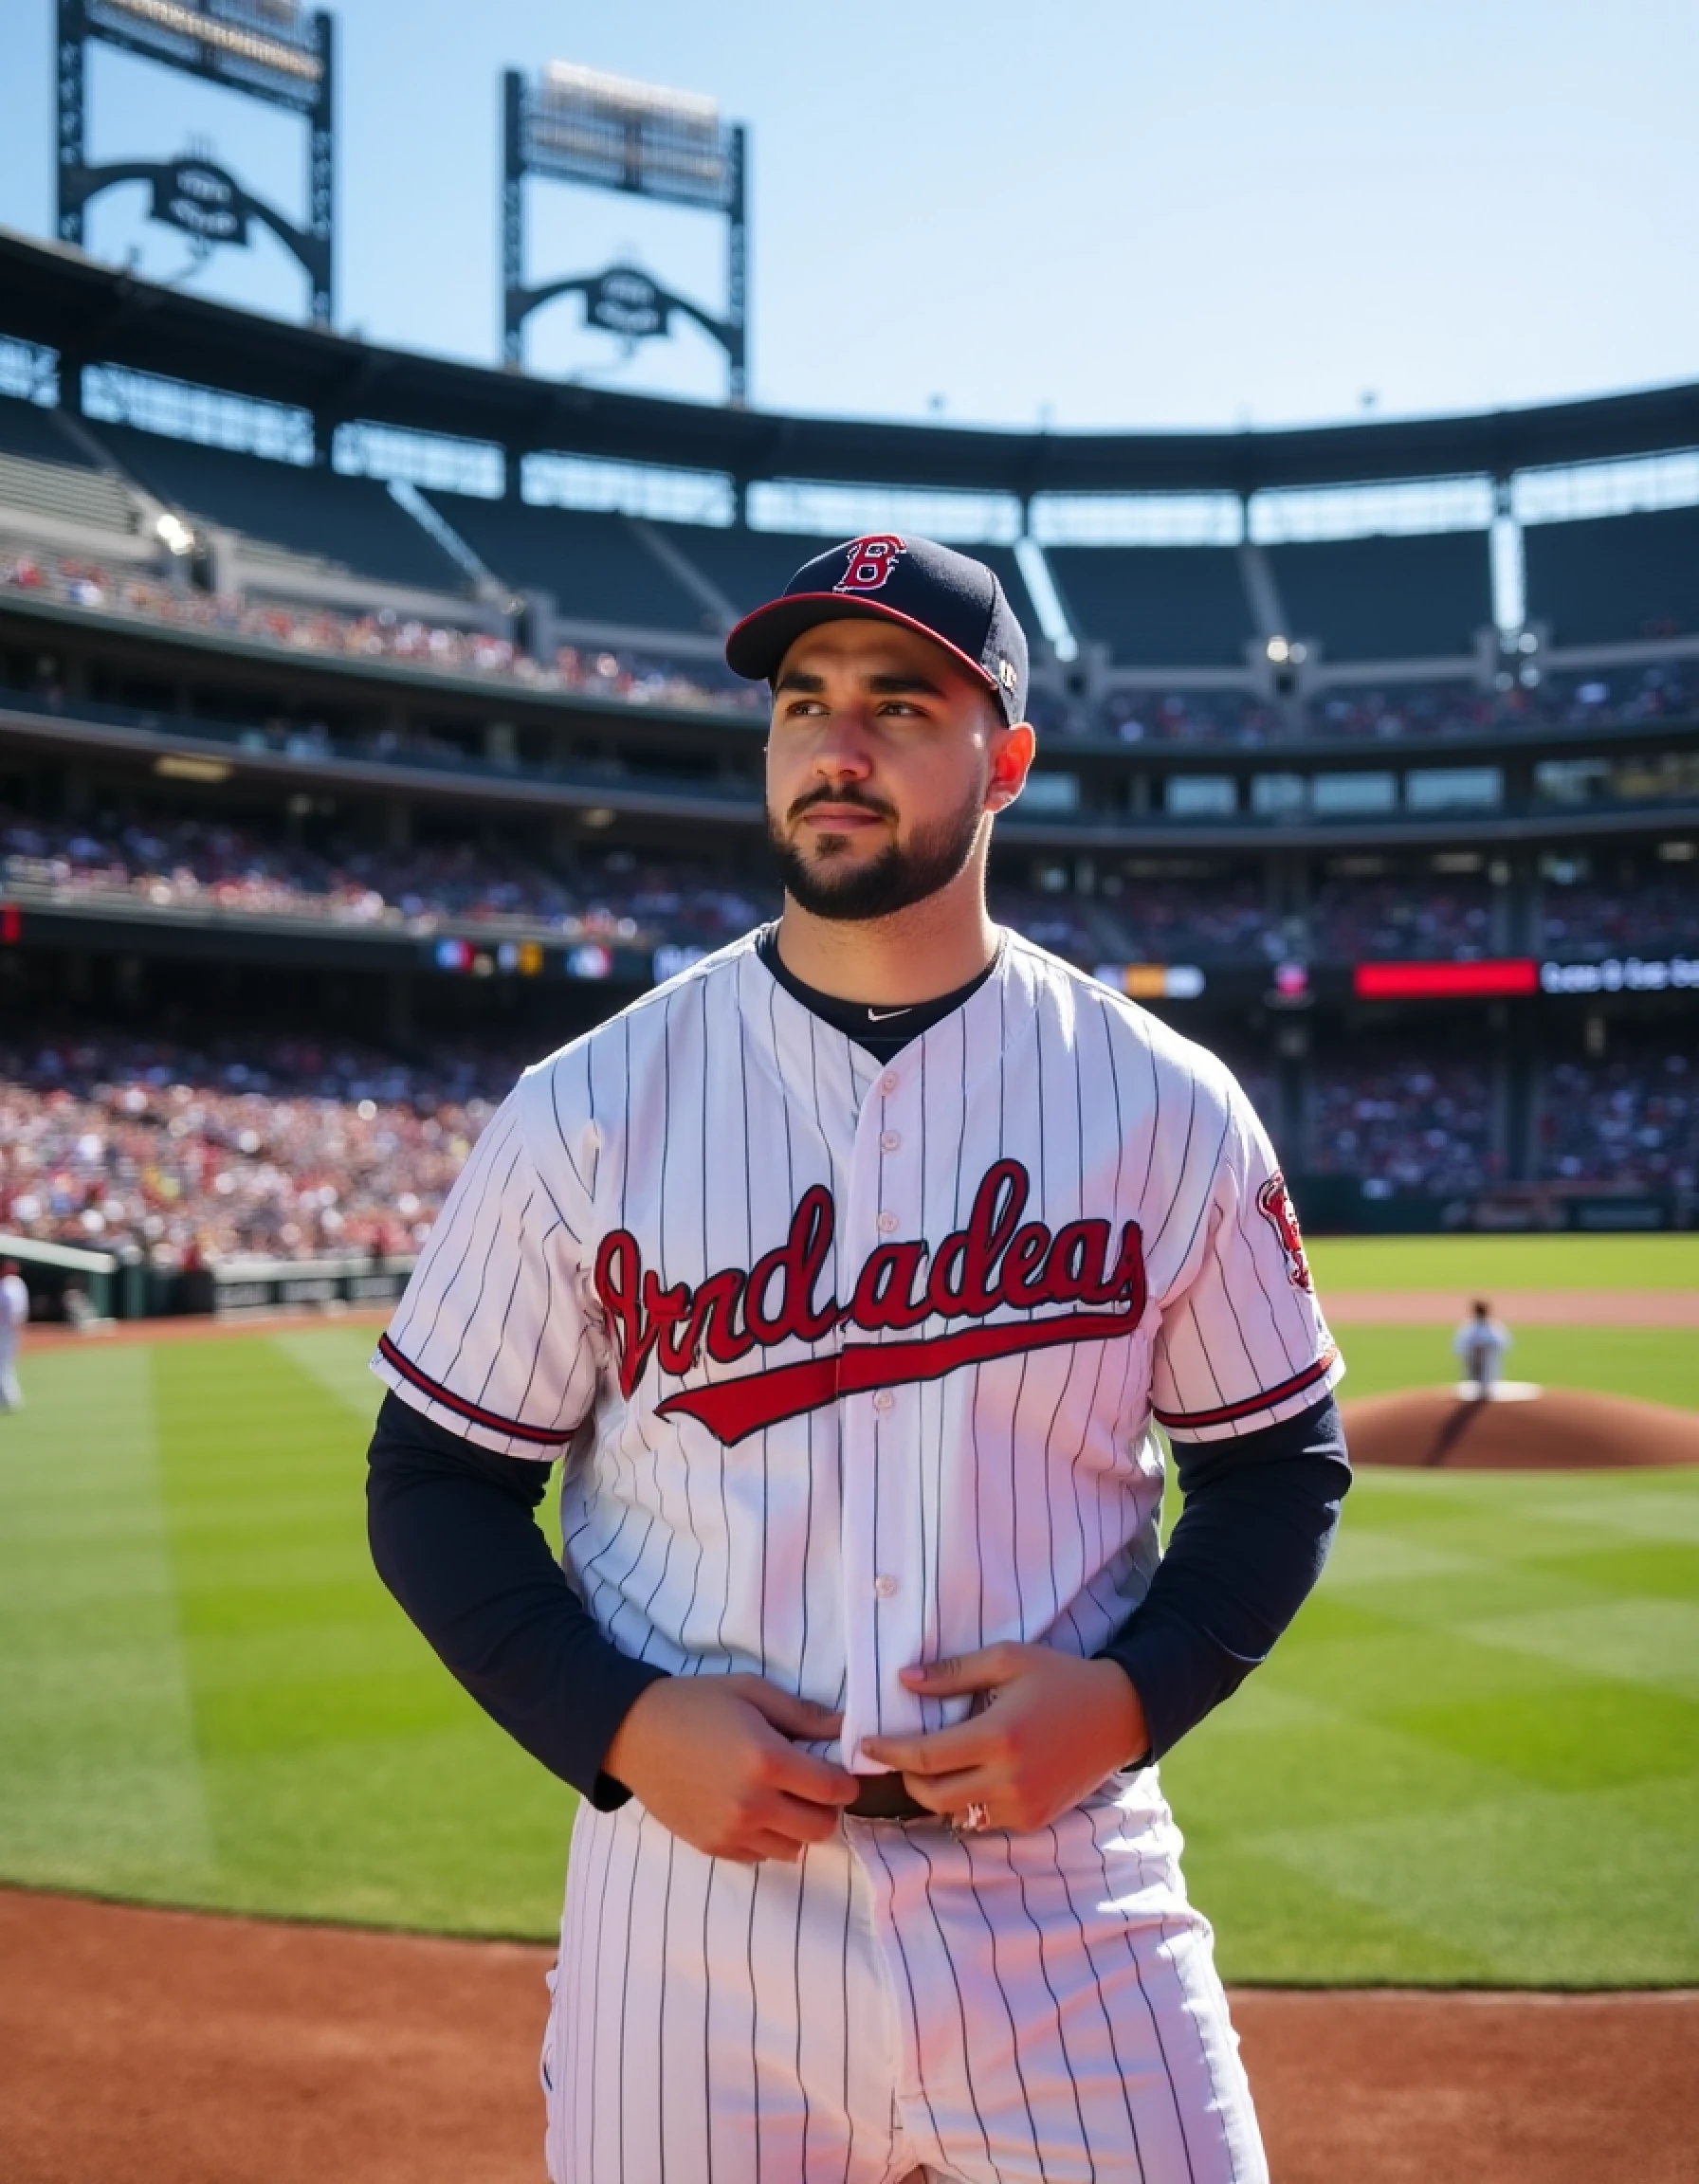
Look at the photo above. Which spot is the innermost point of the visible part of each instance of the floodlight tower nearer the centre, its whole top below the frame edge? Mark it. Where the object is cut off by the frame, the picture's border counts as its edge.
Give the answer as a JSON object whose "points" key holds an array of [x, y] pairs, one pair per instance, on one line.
{"points": [[604, 132]]}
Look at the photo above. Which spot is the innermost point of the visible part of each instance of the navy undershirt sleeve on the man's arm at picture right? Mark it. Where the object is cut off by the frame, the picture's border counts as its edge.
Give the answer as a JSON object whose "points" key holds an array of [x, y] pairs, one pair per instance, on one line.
{"points": [[1261, 1515]]}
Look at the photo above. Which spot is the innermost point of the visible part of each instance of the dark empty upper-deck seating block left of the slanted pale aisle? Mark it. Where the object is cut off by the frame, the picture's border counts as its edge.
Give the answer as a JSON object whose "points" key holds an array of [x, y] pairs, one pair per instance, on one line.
{"points": [[309, 510]]}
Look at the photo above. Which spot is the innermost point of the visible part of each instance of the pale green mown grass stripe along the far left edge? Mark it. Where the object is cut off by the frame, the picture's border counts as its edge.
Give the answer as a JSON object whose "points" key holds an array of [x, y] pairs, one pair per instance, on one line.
{"points": [[102, 1783]]}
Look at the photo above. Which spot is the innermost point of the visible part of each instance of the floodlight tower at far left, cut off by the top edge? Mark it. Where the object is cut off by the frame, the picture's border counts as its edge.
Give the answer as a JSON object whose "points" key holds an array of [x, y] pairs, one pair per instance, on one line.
{"points": [[268, 49]]}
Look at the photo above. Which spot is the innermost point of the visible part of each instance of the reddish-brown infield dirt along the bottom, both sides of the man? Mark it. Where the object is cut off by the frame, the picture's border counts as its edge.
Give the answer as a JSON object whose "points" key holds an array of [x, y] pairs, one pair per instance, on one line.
{"points": [[169, 2047]]}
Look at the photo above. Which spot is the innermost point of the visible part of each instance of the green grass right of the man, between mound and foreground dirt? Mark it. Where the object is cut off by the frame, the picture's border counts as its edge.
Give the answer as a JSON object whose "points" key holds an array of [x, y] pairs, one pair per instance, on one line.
{"points": [[1475, 1757]]}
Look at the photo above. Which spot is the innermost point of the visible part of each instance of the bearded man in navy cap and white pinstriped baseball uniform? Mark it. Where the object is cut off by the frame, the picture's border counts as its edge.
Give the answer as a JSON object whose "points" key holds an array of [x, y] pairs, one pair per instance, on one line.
{"points": [[846, 1274]]}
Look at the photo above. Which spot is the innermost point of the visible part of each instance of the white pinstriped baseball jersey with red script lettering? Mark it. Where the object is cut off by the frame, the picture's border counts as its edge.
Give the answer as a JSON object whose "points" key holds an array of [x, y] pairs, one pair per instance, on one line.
{"points": [[857, 1364]]}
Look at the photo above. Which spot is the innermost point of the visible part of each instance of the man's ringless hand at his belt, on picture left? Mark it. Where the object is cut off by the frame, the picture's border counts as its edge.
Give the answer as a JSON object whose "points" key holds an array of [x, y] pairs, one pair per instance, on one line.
{"points": [[715, 1764]]}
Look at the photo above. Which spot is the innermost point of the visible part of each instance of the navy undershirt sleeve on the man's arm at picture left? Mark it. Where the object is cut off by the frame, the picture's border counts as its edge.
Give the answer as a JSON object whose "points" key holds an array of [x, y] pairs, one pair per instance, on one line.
{"points": [[455, 1539]]}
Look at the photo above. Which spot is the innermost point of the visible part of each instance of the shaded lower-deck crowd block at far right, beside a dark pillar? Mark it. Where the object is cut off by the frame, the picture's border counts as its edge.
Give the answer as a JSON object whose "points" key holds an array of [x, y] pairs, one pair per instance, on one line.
{"points": [[1628, 1121]]}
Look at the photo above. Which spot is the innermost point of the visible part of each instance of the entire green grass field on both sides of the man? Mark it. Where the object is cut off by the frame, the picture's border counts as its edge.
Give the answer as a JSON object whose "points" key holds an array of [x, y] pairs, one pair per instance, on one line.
{"points": [[1475, 1759]]}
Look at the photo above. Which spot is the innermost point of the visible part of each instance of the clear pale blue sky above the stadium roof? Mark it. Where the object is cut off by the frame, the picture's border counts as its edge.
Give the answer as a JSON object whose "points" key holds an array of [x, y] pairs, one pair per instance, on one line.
{"points": [[1100, 215]]}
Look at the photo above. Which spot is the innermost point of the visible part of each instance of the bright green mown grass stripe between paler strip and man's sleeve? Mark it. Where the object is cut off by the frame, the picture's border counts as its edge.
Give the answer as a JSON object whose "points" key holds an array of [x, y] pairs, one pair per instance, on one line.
{"points": [[348, 1777]]}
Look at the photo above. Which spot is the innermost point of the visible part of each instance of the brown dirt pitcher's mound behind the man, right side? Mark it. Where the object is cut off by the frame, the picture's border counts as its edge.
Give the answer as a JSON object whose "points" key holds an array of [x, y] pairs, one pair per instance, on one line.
{"points": [[1560, 1429]]}
